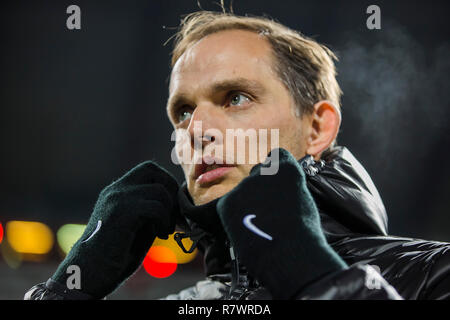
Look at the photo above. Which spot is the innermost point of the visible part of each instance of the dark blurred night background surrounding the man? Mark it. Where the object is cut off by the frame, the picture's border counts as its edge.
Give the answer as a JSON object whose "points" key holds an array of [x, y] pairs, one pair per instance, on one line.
{"points": [[81, 107]]}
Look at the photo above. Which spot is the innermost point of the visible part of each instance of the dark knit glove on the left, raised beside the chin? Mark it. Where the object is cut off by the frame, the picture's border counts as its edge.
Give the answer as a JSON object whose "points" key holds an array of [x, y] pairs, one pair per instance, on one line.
{"points": [[127, 217]]}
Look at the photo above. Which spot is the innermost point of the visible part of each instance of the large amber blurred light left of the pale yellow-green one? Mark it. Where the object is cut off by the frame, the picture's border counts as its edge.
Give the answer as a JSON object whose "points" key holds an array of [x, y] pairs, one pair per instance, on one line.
{"points": [[29, 237]]}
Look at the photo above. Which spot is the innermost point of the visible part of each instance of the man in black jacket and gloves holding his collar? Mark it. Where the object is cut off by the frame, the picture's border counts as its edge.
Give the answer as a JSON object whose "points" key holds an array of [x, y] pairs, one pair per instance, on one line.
{"points": [[314, 228]]}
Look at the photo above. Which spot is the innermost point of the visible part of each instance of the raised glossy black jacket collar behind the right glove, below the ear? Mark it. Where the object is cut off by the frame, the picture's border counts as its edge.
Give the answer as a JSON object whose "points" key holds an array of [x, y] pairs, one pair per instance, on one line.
{"points": [[346, 197]]}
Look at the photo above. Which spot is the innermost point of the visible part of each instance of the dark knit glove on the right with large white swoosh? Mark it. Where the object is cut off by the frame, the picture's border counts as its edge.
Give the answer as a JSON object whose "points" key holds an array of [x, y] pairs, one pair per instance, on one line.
{"points": [[274, 226]]}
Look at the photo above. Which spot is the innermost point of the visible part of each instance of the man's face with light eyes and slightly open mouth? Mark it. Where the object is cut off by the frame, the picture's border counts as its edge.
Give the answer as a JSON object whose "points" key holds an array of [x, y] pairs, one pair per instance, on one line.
{"points": [[227, 81]]}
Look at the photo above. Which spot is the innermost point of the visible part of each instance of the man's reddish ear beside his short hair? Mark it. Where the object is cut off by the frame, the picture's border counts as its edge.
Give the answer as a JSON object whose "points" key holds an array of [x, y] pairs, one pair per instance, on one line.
{"points": [[326, 120]]}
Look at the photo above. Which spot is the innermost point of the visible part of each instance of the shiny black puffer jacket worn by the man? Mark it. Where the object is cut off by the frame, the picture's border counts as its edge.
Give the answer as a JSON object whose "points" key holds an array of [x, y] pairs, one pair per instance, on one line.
{"points": [[354, 220]]}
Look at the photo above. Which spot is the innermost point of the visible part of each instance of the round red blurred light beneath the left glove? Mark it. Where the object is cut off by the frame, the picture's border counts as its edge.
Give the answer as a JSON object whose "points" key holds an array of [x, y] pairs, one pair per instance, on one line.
{"points": [[160, 262]]}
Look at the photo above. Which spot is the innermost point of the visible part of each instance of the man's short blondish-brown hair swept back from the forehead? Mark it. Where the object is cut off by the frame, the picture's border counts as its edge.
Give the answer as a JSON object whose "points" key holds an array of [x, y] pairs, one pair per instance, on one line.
{"points": [[304, 66]]}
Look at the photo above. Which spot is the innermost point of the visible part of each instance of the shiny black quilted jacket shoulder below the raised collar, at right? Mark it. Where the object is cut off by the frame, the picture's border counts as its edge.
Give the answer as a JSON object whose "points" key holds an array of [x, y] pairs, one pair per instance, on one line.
{"points": [[416, 268]]}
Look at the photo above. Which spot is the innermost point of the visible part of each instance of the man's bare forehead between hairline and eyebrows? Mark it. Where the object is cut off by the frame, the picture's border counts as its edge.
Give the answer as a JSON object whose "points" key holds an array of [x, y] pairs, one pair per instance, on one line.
{"points": [[222, 56]]}
